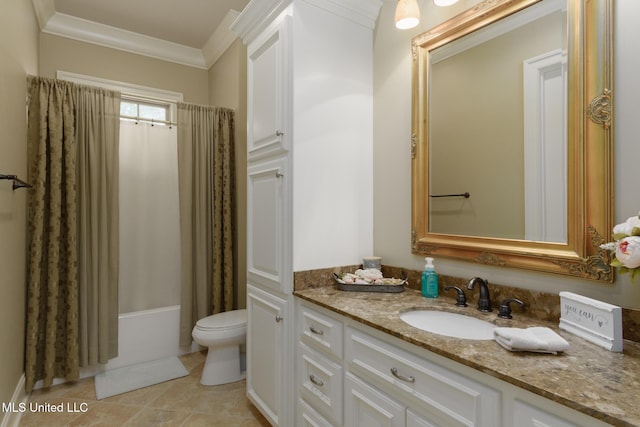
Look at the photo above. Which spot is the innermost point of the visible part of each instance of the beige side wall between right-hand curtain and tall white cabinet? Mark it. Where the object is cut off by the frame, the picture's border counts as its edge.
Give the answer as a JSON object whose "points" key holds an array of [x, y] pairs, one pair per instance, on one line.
{"points": [[228, 88]]}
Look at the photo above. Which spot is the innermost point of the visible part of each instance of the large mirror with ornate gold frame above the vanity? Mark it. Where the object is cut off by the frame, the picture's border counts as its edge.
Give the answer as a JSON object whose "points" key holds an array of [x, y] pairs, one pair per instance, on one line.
{"points": [[515, 169]]}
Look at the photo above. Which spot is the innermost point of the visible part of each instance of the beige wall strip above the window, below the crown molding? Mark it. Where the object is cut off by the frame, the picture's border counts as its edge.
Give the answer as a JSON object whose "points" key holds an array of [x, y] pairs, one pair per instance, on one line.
{"points": [[63, 54]]}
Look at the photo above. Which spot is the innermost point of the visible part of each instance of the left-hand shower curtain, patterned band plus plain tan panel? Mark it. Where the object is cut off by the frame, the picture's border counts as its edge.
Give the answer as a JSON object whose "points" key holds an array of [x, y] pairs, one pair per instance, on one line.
{"points": [[72, 228]]}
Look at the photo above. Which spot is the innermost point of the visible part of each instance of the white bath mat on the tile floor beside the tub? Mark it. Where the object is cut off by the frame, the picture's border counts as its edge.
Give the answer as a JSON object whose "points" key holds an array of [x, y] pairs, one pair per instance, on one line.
{"points": [[133, 377]]}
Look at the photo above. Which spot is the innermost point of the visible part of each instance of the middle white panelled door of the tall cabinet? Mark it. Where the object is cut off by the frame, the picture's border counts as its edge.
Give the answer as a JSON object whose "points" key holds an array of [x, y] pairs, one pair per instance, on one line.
{"points": [[267, 229]]}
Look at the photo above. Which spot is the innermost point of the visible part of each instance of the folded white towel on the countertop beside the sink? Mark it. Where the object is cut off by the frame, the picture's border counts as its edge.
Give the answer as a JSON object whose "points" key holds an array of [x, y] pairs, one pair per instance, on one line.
{"points": [[536, 339]]}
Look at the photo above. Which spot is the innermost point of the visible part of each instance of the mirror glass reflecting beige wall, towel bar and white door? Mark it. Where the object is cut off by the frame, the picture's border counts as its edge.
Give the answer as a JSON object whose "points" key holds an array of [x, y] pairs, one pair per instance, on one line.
{"points": [[497, 129]]}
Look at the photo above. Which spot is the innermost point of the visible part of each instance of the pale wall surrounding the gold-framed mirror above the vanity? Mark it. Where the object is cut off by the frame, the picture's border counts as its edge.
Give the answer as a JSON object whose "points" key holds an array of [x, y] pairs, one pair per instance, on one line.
{"points": [[392, 165]]}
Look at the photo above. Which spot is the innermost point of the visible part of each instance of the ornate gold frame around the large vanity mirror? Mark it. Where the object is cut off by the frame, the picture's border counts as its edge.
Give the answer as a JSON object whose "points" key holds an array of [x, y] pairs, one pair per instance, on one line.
{"points": [[589, 145]]}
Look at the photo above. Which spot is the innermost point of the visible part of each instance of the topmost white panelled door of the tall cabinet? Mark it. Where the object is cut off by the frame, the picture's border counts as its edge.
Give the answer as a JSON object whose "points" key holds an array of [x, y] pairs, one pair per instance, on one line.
{"points": [[268, 90]]}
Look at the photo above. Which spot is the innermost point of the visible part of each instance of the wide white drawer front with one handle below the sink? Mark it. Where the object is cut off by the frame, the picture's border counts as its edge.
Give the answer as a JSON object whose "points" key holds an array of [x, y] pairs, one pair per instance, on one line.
{"points": [[445, 394]]}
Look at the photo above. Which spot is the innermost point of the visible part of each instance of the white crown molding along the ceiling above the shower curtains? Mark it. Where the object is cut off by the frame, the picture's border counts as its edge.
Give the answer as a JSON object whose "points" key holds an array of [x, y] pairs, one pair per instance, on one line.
{"points": [[59, 24]]}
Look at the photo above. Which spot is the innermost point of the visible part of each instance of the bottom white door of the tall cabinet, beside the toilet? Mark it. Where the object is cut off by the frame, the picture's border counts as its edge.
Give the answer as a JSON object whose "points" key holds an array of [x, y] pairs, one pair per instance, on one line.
{"points": [[266, 353]]}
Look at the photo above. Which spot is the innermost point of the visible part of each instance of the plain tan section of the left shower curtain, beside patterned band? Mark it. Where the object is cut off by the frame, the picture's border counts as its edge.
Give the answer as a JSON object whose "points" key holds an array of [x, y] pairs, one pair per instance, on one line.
{"points": [[98, 128]]}
